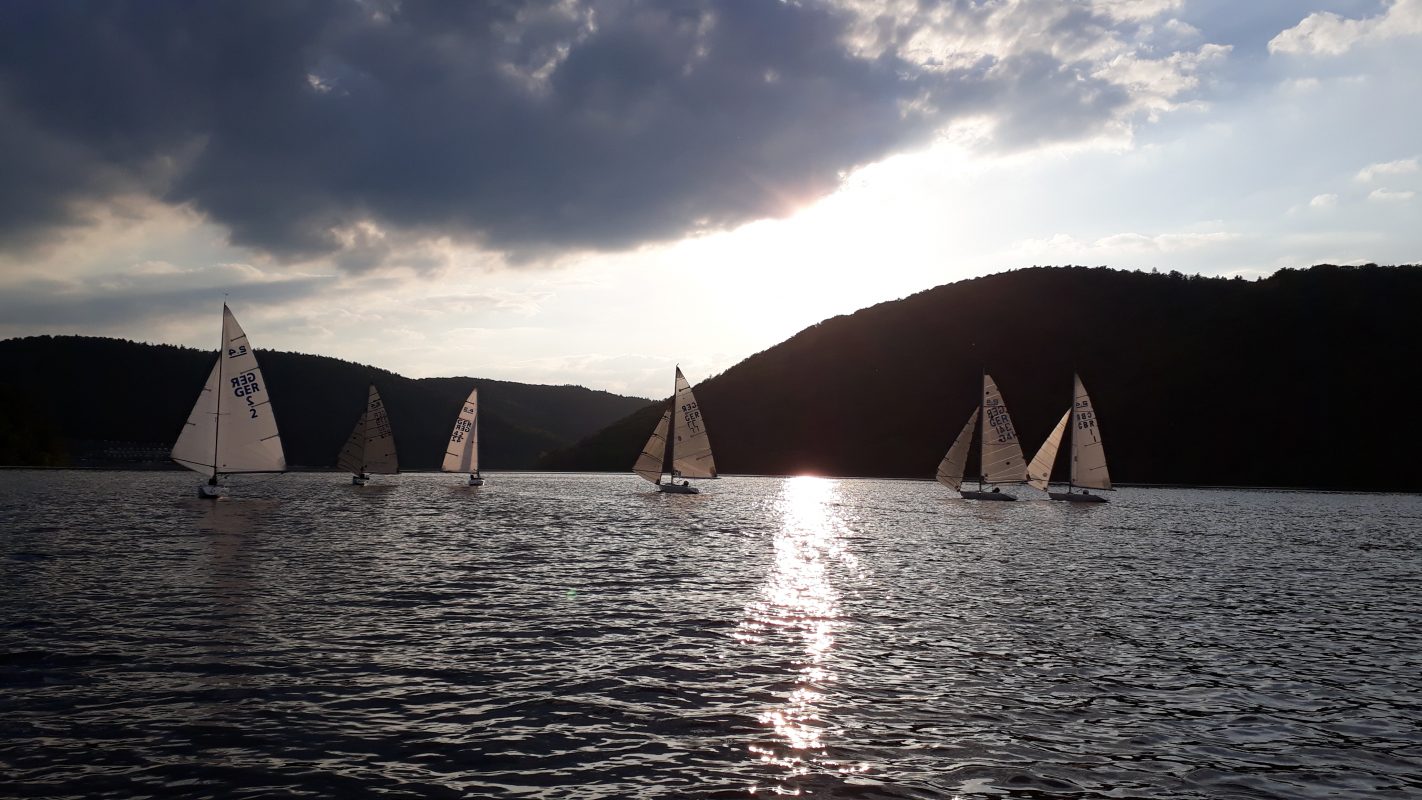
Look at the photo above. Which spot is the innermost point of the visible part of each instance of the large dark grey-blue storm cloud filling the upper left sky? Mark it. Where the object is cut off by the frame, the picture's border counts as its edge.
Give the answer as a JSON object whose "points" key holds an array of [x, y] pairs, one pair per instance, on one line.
{"points": [[531, 127]]}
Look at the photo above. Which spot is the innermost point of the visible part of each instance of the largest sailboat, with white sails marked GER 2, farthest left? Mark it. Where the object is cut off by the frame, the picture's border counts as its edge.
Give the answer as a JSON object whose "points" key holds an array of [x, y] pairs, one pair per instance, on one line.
{"points": [[231, 430]]}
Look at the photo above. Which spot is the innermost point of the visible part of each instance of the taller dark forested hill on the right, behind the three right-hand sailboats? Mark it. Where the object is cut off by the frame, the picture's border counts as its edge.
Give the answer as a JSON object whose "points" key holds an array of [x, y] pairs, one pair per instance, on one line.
{"points": [[1303, 379]]}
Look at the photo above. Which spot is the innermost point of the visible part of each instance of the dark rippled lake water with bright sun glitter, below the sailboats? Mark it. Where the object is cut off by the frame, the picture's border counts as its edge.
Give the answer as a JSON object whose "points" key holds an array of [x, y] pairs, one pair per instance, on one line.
{"points": [[578, 636]]}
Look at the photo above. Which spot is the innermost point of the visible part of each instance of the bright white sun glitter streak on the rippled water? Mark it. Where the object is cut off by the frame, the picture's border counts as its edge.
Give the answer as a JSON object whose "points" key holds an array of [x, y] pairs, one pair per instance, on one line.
{"points": [[800, 602]]}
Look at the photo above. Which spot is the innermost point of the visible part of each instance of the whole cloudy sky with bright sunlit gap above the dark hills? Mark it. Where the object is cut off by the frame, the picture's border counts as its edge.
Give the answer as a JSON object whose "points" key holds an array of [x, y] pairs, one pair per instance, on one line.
{"points": [[588, 193]]}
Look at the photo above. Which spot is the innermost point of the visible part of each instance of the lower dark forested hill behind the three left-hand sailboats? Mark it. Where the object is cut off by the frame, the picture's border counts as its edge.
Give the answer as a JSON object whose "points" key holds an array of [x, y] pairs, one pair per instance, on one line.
{"points": [[65, 397]]}
